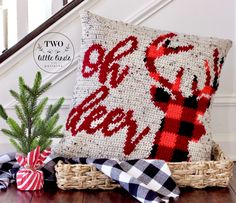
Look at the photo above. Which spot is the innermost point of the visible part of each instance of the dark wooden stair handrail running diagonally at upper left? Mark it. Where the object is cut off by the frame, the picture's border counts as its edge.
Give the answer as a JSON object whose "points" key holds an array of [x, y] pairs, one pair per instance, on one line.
{"points": [[39, 29]]}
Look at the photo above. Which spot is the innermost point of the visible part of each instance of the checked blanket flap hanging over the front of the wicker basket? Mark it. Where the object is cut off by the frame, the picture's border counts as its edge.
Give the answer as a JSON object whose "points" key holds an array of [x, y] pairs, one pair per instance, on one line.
{"points": [[146, 180]]}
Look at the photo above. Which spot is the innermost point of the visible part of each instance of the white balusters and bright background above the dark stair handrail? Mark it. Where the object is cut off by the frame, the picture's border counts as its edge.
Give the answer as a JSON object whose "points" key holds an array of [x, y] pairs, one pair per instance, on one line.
{"points": [[20, 17]]}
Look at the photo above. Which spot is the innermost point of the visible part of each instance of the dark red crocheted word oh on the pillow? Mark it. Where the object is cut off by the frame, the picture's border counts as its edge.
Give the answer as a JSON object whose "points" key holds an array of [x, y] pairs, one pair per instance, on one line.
{"points": [[107, 64]]}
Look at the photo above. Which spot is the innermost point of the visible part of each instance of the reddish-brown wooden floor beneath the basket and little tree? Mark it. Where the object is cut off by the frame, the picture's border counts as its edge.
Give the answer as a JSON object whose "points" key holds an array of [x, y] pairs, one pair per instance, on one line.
{"points": [[51, 194]]}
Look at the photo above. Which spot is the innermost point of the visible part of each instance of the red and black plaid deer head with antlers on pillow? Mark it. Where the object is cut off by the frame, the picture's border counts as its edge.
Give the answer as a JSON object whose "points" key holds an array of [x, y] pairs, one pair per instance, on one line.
{"points": [[181, 123]]}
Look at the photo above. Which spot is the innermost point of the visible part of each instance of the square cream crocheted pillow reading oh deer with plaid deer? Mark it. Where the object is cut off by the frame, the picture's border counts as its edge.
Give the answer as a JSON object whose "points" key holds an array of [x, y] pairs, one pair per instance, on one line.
{"points": [[142, 93]]}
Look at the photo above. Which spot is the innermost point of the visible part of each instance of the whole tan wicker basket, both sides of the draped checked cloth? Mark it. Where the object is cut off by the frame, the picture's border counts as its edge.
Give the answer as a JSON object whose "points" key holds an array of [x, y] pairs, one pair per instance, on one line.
{"points": [[194, 174]]}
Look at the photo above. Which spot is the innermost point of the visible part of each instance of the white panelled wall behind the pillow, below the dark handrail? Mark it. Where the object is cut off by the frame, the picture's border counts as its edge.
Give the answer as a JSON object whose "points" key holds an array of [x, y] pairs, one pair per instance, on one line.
{"points": [[203, 17]]}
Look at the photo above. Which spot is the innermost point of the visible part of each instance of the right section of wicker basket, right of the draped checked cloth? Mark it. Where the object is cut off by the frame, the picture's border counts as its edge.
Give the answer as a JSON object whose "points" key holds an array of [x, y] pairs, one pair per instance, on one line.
{"points": [[204, 173]]}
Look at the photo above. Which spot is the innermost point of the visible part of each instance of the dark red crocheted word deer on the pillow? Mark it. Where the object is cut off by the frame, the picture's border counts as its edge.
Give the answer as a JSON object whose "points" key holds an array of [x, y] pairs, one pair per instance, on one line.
{"points": [[116, 116]]}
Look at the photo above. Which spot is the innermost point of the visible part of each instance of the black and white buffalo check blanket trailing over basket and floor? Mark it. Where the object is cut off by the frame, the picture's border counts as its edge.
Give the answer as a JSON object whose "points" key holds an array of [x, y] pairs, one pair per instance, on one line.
{"points": [[145, 179]]}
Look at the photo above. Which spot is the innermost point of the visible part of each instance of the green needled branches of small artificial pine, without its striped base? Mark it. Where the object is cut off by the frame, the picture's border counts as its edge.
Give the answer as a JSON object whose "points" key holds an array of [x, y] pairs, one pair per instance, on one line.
{"points": [[33, 130]]}
